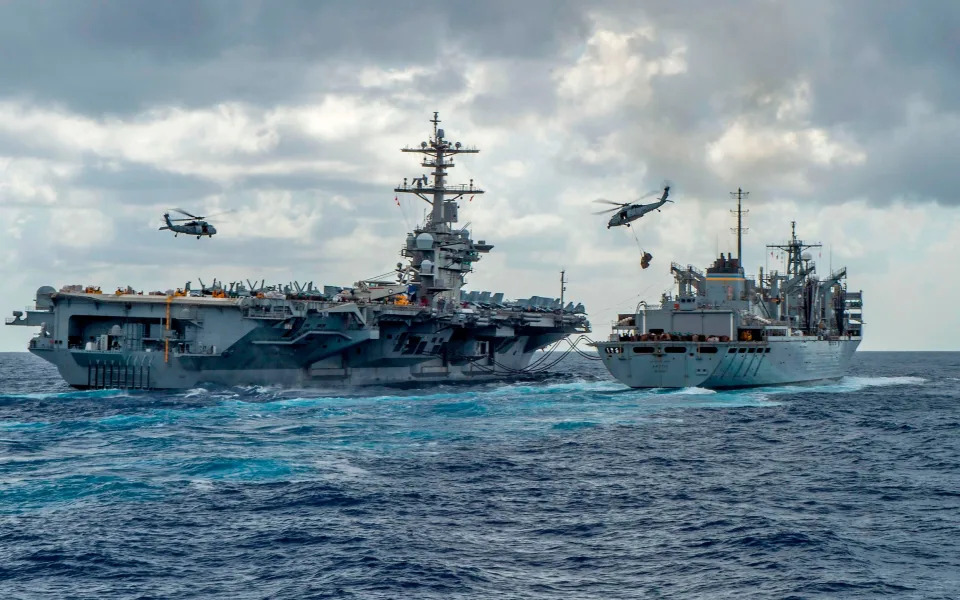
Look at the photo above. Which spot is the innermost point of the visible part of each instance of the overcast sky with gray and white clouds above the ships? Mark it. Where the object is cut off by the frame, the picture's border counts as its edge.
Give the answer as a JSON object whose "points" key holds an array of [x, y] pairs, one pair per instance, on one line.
{"points": [[843, 116]]}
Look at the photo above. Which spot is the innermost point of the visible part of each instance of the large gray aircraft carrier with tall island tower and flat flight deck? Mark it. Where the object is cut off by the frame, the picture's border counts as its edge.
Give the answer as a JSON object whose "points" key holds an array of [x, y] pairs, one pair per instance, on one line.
{"points": [[417, 324]]}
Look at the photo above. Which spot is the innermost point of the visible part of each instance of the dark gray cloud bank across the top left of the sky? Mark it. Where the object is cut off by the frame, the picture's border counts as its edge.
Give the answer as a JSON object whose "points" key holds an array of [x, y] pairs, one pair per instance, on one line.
{"points": [[115, 58]]}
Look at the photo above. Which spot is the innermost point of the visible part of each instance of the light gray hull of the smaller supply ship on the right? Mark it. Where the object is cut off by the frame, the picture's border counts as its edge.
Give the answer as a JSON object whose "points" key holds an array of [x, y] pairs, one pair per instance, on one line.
{"points": [[672, 364]]}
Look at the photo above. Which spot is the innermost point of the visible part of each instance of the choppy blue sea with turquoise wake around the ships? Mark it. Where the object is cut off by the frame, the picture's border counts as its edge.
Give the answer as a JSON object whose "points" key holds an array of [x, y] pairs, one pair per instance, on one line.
{"points": [[563, 486]]}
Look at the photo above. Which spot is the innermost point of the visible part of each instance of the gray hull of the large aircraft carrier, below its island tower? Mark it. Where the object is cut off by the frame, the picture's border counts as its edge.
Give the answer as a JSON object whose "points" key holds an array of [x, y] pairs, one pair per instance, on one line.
{"points": [[153, 342]]}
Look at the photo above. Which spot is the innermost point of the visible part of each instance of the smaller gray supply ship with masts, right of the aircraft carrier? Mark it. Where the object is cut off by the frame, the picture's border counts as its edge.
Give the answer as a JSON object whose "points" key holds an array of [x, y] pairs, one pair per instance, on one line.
{"points": [[724, 330]]}
